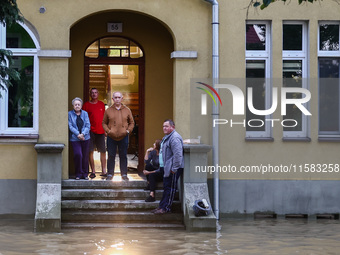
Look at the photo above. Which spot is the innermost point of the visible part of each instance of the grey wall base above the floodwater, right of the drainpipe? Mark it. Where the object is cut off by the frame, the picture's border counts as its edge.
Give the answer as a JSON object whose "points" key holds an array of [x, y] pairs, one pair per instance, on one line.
{"points": [[279, 196]]}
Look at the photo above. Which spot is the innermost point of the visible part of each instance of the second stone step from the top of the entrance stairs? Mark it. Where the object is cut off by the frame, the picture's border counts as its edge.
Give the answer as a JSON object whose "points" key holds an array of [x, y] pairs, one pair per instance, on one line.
{"points": [[121, 194]]}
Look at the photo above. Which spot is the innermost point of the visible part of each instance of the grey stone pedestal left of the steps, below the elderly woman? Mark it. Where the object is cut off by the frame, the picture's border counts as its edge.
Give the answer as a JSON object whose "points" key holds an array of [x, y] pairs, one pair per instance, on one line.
{"points": [[48, 206]]}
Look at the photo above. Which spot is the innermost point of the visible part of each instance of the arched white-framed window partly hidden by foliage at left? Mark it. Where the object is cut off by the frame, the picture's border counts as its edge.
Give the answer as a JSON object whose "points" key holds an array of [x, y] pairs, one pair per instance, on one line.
{"points": [[19, 103]]}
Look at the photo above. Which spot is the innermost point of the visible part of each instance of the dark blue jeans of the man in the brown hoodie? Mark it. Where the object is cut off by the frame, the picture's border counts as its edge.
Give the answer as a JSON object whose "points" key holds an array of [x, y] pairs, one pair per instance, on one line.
{"points": [[122, 150]]}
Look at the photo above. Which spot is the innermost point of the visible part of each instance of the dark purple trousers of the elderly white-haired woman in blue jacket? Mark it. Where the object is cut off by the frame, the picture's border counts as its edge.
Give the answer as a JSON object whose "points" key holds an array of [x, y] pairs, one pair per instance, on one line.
{"points": [[81, 157]]}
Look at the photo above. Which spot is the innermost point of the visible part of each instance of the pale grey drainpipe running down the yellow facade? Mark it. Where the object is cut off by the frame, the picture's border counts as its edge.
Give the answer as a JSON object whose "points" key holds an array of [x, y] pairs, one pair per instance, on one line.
{"points": [[215, 108]]}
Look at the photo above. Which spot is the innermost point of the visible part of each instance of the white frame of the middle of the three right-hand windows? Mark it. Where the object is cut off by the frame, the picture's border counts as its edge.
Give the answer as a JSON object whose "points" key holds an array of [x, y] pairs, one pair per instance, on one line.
{"points": [[304, 57]]}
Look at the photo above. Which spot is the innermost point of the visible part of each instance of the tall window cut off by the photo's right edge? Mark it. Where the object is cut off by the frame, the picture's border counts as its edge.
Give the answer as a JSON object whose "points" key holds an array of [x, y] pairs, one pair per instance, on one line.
{"points": [[329, 86]]}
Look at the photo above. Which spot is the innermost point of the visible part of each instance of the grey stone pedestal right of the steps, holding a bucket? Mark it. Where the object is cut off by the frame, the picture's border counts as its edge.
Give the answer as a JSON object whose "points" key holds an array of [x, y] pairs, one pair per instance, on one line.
{"points": [[195, 187]]}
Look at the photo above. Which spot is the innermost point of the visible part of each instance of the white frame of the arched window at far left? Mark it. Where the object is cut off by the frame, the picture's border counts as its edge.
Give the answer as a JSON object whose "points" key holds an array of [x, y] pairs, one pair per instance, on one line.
{"points": [[23, 132]]}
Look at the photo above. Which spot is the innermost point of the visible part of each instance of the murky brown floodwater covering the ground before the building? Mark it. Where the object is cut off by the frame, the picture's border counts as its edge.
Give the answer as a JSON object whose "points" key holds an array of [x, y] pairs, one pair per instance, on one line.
{"points": [[233, 237]]}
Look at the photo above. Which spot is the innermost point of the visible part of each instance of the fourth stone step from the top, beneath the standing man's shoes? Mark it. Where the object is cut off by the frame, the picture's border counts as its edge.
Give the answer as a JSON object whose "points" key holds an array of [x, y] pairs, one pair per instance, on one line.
{"points": [[120, 217]]}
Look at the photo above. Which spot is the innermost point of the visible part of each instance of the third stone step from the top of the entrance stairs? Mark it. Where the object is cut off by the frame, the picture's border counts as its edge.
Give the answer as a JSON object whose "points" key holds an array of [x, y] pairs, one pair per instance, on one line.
{"points": [[118, 205]]}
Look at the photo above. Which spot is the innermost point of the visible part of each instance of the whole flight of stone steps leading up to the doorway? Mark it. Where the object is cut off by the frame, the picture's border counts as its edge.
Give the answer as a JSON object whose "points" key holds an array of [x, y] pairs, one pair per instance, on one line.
{"points": [[100, 203]]}
